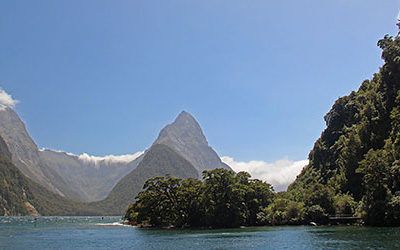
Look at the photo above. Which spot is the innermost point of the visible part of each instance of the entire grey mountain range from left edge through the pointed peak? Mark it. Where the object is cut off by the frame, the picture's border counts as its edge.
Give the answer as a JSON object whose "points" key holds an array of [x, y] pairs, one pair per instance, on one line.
{"points": [[60, 183]]}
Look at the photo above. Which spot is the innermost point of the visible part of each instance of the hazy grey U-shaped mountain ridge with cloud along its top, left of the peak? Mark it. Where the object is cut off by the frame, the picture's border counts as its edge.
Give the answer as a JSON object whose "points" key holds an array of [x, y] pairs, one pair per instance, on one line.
{"points": [[70, 176]]}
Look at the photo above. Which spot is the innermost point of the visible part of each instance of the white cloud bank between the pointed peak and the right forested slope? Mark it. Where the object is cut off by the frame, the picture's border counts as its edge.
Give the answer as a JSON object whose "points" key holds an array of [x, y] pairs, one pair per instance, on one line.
{"points": [[280, 173]]}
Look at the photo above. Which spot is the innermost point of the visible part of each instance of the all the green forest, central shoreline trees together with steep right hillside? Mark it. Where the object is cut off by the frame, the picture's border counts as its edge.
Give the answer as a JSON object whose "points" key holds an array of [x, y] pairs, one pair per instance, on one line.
{"points": [[354, 169]]}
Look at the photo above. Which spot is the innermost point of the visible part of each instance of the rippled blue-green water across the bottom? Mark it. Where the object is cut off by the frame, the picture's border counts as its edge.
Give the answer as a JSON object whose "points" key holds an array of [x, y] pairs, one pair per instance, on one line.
{"points": [[108, 233]]}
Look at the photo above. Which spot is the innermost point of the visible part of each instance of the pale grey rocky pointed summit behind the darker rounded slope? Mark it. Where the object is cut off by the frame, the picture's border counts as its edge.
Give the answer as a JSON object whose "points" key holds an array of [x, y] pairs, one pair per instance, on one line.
{"points": [[186, 137]]}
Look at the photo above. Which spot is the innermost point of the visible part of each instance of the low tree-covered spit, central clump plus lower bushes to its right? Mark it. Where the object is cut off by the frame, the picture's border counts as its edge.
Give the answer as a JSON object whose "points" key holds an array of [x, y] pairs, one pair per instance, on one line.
{"points": [[226, 199]]}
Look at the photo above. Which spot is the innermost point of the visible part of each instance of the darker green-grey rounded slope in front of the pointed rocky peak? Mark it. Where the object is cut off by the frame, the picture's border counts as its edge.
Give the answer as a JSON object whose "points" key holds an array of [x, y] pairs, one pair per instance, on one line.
{"points": [[160, 160]]}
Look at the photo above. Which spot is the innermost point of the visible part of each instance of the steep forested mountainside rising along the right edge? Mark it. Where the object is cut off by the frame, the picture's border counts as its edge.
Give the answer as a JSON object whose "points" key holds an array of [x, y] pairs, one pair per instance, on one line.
{"points": [[358, 154]]}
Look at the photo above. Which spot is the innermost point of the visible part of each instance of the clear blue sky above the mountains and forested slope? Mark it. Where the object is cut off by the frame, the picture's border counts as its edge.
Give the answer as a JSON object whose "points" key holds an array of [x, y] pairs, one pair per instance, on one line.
{"points": [[103, 77]]}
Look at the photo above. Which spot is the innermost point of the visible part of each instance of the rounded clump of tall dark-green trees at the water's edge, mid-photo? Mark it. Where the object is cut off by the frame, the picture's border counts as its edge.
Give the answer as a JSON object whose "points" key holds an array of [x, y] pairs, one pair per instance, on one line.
{"points": [[222, 199]]}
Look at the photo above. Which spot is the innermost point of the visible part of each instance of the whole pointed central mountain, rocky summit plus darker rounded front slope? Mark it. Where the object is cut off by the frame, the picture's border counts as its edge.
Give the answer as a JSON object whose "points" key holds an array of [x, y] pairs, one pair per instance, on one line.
{"points": [[181, 150]]}
